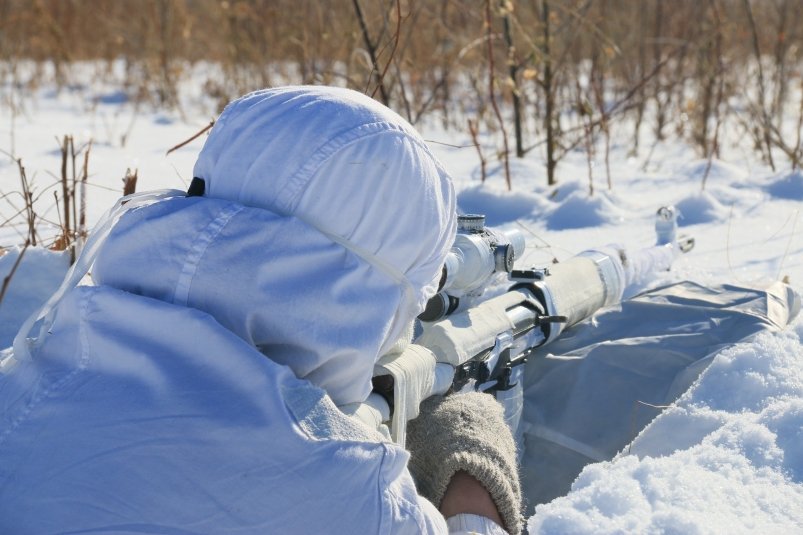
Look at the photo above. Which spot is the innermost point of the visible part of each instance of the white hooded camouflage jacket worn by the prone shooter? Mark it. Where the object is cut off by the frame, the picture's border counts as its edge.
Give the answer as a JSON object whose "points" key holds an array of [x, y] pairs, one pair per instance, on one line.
{"points": [[192, 388]]}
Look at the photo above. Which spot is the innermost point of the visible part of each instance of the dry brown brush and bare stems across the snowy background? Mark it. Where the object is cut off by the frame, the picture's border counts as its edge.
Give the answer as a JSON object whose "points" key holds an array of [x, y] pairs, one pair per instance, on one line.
{"points": [[565, 73]]}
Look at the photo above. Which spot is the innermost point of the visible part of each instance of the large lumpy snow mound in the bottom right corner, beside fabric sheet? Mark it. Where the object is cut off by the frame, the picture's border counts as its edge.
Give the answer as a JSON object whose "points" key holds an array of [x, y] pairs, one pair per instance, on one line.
{"points": [[728, 458]]}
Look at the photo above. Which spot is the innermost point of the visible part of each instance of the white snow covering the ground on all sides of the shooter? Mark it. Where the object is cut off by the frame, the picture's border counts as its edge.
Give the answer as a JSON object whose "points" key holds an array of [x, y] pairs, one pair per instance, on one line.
{"points": [[726, 458]]}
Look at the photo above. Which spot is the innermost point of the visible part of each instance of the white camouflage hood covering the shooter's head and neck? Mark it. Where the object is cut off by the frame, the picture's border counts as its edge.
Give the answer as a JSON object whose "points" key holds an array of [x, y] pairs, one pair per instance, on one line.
{"points": [[321, 234]]}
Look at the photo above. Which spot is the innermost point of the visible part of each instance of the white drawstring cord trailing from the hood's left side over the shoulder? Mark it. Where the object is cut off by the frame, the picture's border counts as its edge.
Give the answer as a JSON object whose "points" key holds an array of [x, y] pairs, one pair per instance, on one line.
{"points": [[23, 344]]}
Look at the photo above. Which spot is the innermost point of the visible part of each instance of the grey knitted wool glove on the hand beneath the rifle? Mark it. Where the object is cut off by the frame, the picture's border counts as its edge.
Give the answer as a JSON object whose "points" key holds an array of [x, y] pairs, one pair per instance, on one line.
{"points": [[466, 432]]}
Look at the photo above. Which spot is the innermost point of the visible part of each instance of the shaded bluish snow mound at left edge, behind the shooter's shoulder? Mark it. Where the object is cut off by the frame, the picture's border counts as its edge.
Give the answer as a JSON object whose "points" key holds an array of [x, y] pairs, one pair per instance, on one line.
{"points": [[38, 275]]}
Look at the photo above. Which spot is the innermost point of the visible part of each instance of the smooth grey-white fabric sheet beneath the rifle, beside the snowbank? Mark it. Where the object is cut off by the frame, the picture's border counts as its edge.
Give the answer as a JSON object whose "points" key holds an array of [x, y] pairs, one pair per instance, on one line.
{"points": [[582, 392]]}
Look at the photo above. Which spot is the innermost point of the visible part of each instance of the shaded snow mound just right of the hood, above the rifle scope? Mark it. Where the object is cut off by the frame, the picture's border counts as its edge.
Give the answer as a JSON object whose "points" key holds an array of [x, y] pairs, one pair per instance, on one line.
{"points": [[500, 206]]}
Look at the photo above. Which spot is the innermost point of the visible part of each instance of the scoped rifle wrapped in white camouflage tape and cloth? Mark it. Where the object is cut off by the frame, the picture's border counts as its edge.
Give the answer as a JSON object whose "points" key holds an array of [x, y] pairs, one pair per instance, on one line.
{"points": [[483, 347]]}
